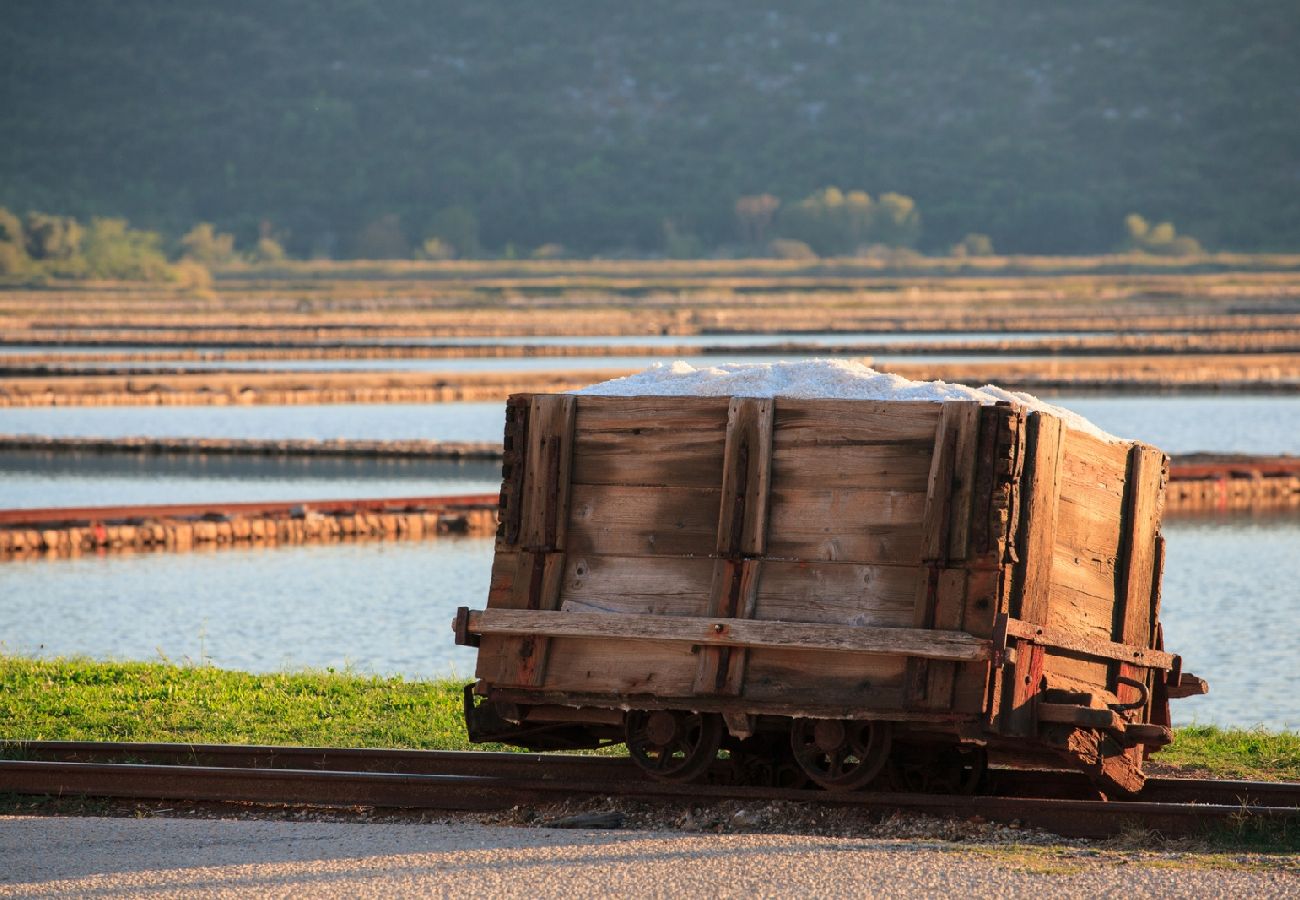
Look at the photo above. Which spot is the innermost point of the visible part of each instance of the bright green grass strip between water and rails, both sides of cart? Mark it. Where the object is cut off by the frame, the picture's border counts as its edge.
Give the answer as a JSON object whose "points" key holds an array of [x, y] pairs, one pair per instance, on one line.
{"points": [[136, 702]]}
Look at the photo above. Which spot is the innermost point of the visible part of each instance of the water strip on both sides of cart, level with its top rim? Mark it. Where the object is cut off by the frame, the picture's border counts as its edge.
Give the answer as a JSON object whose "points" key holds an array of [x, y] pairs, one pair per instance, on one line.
{"points": [[1177, 425]]}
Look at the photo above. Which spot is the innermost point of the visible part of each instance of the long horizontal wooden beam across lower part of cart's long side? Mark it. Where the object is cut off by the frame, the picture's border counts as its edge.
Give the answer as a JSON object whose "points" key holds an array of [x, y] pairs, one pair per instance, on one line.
{"points": [[734, 633]]}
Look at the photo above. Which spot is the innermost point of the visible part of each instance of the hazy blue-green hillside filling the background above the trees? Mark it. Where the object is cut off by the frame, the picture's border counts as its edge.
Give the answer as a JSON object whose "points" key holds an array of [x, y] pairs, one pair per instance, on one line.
{"points": [[590, 124]]}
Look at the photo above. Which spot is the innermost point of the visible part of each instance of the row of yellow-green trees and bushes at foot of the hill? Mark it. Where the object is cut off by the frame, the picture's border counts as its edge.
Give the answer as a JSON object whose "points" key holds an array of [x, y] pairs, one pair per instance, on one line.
{"points": [[830, 223]]}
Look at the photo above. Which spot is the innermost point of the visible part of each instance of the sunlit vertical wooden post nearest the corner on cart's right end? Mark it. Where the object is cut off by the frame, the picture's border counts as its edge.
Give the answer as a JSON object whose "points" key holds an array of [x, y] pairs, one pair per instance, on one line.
{"points": [[1039, 504]]}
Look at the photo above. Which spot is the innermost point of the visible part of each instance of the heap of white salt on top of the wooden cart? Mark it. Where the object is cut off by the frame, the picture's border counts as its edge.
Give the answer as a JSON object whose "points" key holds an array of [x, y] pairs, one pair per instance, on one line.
{"points": [[813, 379]]}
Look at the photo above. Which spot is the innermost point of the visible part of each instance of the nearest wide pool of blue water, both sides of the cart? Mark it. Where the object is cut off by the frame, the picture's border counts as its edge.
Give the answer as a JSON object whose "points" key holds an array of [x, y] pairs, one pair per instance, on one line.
{"points": [[1230, 607]]}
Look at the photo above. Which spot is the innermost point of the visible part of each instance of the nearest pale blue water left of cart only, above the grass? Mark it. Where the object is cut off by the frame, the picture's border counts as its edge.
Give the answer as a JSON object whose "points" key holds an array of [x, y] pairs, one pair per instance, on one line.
{"points": [[378, 607]]}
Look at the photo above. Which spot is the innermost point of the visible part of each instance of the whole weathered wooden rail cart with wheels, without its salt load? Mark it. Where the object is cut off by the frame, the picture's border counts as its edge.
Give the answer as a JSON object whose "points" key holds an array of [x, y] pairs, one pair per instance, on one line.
{"points": [[825, 590]]}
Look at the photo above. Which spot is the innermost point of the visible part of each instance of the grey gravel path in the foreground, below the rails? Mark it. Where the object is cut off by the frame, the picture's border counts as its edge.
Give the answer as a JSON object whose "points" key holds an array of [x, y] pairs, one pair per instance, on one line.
{"points": [[94, 858]]}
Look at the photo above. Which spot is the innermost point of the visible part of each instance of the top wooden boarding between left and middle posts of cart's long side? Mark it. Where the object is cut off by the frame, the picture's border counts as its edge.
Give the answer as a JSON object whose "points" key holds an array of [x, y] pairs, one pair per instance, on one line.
{"points": [[651, 442]]}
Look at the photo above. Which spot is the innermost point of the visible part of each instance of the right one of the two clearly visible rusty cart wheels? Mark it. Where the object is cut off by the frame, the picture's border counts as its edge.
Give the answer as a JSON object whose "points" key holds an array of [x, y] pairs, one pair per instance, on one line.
{"points": [[840, 755]]}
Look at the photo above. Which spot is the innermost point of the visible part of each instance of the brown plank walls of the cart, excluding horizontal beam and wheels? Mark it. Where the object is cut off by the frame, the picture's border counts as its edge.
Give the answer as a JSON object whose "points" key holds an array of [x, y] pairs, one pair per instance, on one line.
{"points": [[831, 513]]}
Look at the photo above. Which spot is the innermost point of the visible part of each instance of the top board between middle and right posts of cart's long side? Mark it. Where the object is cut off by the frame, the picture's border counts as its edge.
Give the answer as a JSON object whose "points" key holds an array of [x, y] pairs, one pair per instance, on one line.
{"points": [[822, 422]]}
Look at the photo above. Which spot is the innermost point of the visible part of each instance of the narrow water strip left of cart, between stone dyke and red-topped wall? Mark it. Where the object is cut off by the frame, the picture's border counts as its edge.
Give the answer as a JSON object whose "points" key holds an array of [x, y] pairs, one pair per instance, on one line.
{"points": [[37, 481]]}
